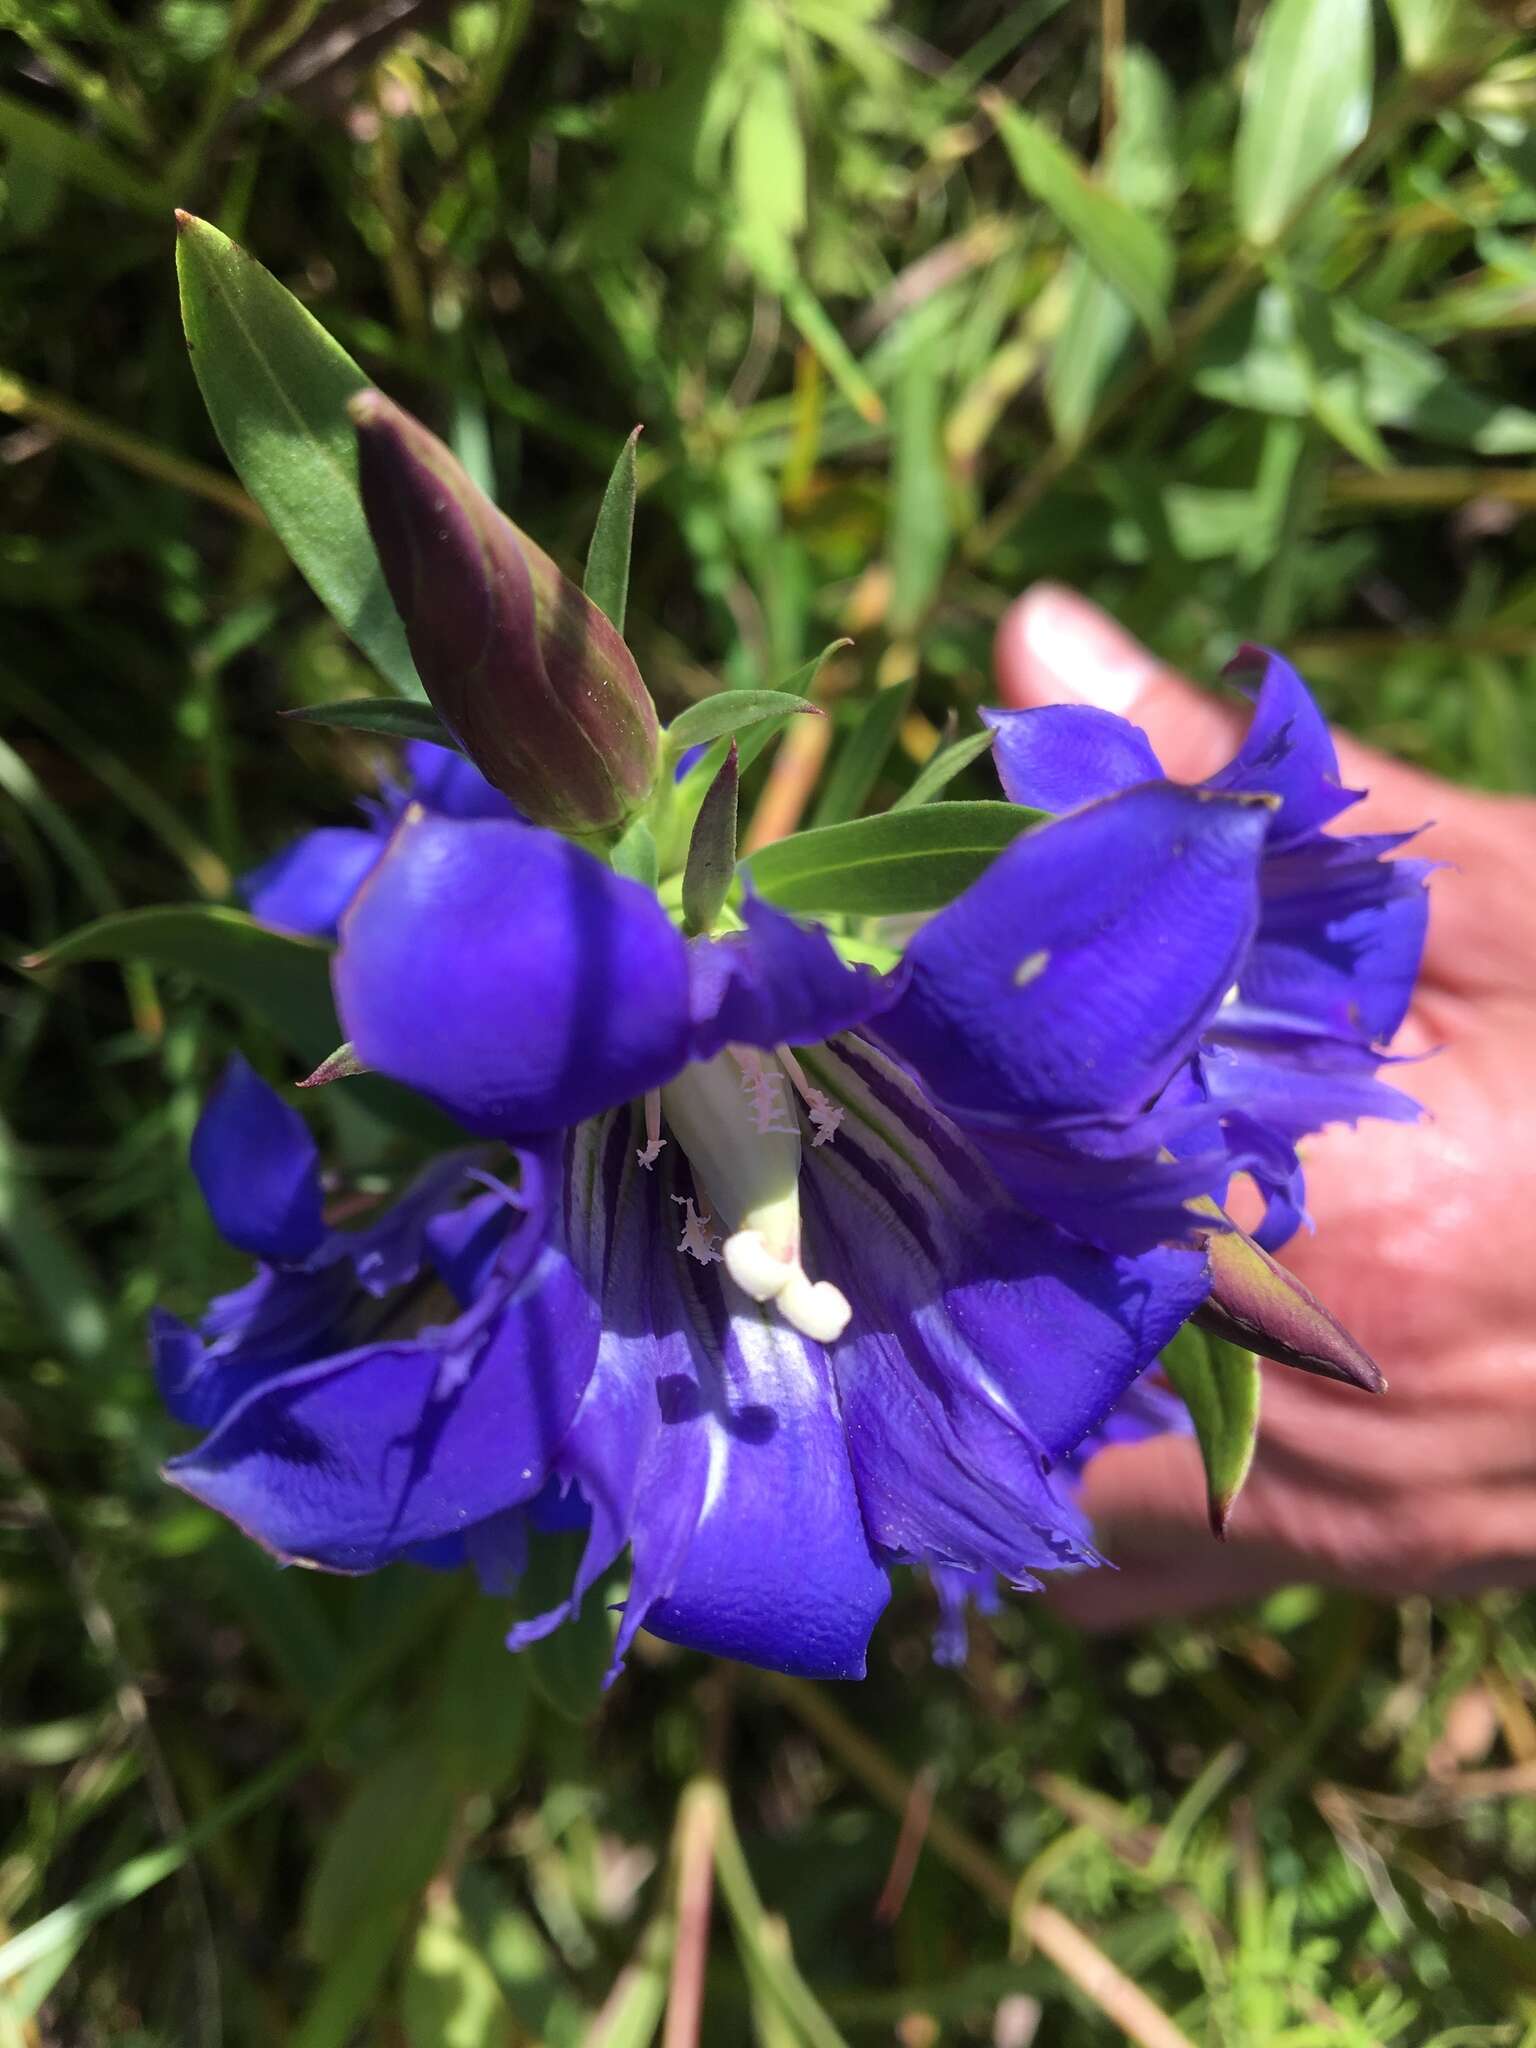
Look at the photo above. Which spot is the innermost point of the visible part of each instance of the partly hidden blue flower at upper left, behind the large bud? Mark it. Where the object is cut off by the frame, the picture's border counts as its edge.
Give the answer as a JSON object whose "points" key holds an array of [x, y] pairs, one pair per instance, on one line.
{"points": [[308, 886]]}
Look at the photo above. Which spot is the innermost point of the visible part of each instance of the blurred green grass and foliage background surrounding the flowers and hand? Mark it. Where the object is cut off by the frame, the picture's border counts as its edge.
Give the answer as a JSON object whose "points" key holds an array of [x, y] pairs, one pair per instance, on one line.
{"points": [[1220, 312]]}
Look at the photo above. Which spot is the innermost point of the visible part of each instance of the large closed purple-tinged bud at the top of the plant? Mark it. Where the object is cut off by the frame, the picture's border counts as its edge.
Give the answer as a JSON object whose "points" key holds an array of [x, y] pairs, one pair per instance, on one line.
{"points": [[527, 675]]}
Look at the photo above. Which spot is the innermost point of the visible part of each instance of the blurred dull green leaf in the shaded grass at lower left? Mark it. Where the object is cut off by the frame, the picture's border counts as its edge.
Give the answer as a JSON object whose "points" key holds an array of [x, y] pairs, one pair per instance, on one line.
{"points": [[384, 1848]]}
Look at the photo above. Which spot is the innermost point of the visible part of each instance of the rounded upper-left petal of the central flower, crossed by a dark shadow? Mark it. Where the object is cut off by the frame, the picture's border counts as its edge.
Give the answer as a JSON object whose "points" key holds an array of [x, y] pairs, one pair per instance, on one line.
{"points": [[511, 978]]}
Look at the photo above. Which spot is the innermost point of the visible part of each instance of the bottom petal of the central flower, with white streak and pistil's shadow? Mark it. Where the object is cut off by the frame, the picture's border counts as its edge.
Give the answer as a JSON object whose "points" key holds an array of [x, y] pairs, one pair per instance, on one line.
{"points": [[706, 1433]]}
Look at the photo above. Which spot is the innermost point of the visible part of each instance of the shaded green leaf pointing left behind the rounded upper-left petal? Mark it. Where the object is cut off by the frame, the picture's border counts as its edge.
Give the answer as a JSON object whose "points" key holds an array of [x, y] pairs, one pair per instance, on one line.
{"points": [[282, 980]]}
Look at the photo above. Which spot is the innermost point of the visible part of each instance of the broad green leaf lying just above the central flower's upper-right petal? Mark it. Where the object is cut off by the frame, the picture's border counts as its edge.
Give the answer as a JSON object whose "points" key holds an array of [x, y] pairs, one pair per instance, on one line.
{"points": [[894, 863]]}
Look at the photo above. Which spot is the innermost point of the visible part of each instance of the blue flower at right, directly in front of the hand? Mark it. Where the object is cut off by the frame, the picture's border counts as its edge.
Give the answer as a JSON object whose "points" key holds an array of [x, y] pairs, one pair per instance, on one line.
{"points": [[1306, 1027]]}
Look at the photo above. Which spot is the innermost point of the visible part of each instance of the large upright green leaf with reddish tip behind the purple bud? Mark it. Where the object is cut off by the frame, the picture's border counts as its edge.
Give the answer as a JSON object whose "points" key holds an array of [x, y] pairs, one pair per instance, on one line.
{"points": [[278, 388]]}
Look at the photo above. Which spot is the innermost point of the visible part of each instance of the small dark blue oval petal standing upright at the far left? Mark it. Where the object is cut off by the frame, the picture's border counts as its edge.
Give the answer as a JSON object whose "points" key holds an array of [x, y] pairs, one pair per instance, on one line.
{"points": [[259, 1168]]}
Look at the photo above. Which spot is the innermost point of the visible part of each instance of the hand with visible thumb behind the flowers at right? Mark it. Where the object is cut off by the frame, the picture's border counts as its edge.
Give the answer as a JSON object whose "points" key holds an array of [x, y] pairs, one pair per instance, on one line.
{"points": [[1426, 1234]]}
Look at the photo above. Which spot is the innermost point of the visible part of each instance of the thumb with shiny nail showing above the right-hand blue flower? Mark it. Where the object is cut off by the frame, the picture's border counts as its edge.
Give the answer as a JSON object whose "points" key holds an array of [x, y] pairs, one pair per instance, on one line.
{"points": [[1056, 648]]}
